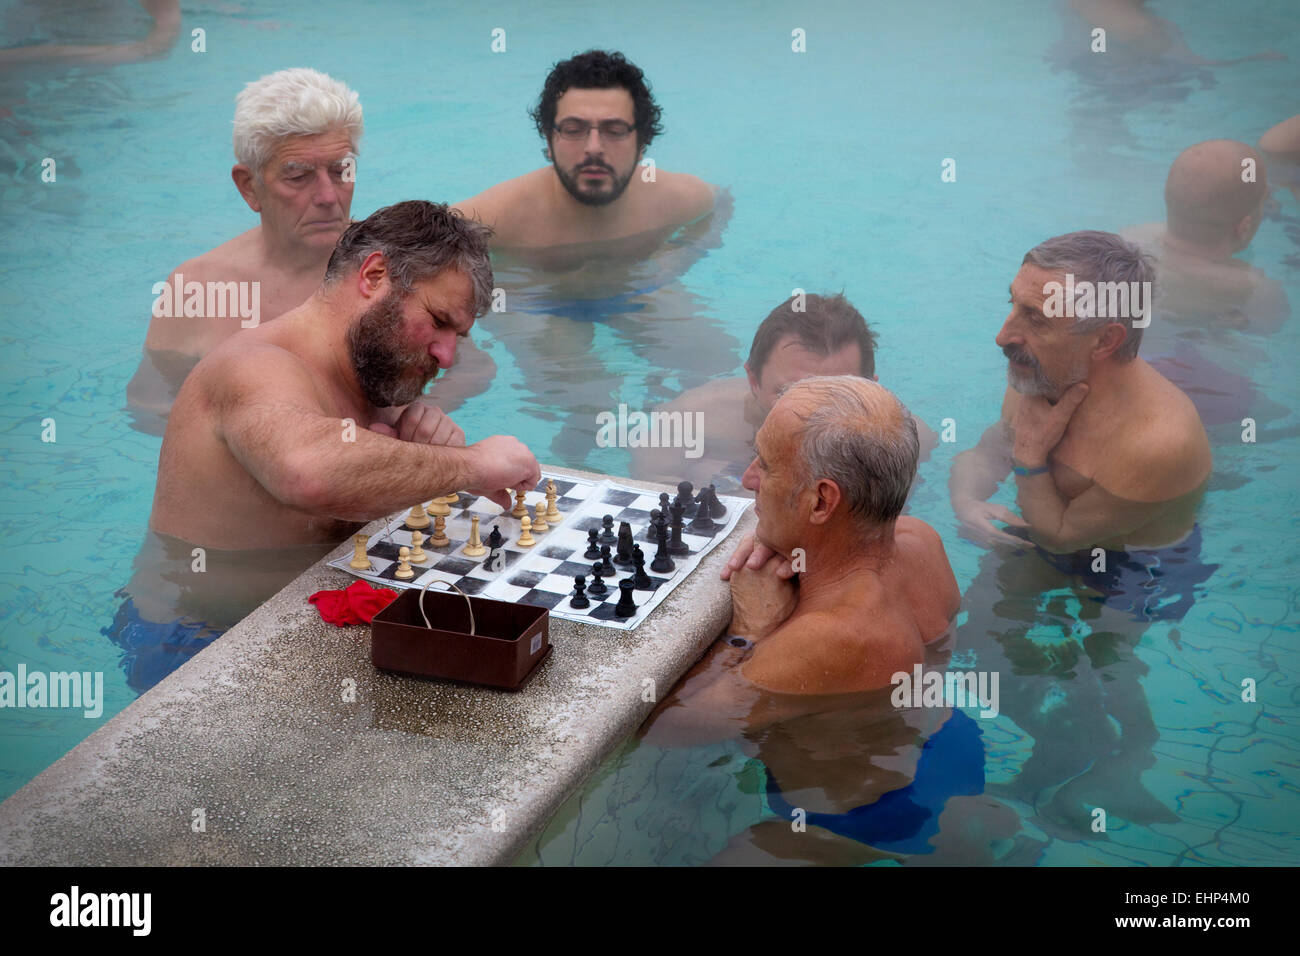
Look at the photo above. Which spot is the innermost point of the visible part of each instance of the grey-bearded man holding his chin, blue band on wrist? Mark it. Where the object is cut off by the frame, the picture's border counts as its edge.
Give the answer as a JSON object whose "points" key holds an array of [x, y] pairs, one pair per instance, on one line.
{"points": [[1107, 452]]}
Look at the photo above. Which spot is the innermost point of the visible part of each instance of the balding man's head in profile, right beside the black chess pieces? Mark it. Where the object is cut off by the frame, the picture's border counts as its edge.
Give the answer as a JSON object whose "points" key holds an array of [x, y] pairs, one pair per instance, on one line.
{"points": [[835, 458]]}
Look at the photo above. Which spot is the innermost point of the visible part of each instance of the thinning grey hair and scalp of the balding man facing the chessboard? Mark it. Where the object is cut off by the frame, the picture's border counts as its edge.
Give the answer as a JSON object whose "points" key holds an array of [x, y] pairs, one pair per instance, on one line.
{"points": [[870, 456]]}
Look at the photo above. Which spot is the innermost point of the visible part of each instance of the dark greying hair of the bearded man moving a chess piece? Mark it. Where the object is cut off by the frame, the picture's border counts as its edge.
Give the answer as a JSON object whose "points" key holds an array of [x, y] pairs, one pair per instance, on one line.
{"points": [[419, 240]]}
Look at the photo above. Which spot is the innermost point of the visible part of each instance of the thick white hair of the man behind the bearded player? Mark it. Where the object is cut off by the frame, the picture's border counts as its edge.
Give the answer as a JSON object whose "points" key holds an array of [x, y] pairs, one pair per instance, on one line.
{"points": [[292, 103]]}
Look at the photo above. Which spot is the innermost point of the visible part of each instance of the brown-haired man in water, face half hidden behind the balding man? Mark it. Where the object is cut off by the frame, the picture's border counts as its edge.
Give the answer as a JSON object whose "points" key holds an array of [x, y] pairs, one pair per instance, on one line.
{"points": [[808, 335]]}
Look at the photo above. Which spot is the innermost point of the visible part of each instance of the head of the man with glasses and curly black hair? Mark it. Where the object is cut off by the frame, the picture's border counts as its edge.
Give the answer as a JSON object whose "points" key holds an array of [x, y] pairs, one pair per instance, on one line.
{"points": [[597, 118]]}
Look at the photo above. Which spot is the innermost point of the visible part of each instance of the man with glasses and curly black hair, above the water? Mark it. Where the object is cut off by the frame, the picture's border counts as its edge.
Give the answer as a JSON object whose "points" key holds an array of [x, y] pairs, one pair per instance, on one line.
{"points": [[597, 118]]}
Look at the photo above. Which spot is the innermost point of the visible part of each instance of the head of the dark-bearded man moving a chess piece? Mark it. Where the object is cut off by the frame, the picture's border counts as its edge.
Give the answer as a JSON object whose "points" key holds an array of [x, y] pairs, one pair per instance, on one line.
{"points": [[423, 276]]}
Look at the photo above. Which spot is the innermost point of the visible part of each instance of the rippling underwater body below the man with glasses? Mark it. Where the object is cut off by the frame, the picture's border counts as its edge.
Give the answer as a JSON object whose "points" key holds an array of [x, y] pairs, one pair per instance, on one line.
{"points": [[560, 302]]}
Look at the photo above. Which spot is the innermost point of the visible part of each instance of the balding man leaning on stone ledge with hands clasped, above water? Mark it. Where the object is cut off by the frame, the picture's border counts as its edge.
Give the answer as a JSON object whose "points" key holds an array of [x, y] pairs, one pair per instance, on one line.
{"points": [[835, 461]]}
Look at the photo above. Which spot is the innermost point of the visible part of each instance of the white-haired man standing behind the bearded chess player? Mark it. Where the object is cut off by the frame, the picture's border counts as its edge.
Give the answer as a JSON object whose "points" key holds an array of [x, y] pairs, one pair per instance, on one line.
{"points": [[296, 141]]}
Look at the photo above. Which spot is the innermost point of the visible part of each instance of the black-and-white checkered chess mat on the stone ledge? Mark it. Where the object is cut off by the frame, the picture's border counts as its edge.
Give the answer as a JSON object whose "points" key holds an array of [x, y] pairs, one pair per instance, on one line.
{"points": [[544, 574]]}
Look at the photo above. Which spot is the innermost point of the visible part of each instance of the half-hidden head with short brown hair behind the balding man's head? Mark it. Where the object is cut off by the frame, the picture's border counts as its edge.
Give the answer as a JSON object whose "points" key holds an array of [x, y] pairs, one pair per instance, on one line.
{"points": [[829, 338]]}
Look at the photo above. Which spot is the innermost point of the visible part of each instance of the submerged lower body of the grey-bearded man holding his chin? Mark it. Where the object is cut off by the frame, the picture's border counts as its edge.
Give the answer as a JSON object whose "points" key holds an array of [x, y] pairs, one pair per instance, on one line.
{"points": [[1064, 637]]}
